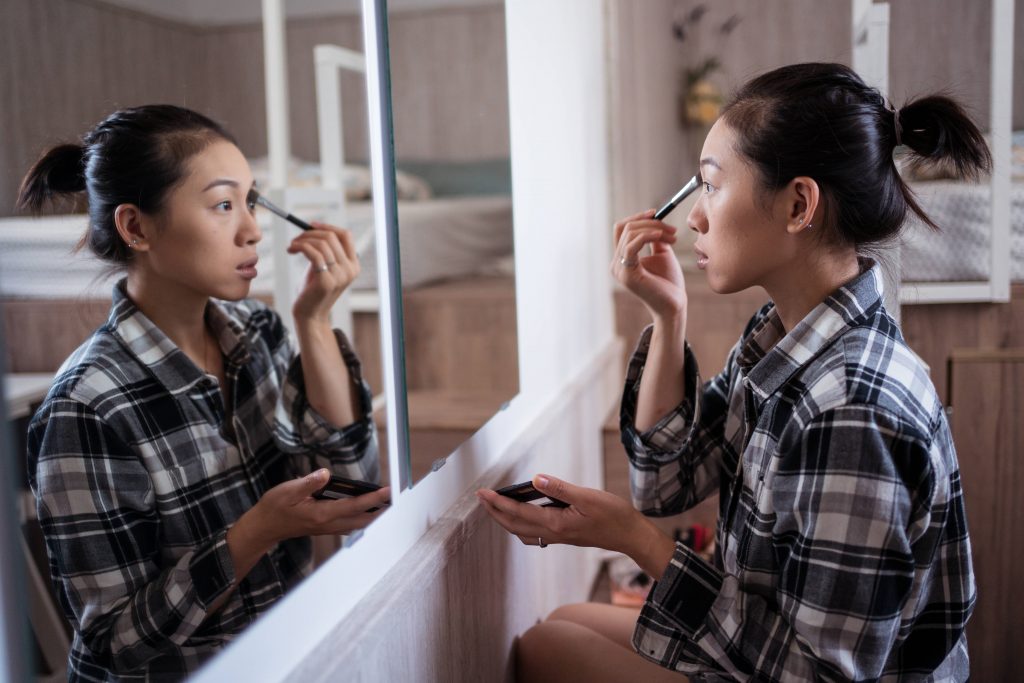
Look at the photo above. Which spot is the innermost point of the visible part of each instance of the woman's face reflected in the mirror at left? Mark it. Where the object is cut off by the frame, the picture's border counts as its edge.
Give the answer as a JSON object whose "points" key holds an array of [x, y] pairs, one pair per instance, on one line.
{"points": [[205, 238]]}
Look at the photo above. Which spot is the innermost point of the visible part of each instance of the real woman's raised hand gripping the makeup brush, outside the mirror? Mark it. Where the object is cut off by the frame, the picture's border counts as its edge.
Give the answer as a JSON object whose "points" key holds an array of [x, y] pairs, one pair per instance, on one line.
{"points": [[658, 278]]}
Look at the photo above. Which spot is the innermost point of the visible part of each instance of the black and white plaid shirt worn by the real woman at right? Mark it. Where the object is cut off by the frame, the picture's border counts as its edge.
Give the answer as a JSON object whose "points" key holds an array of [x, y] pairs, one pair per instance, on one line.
{"points": [[842, 544]]}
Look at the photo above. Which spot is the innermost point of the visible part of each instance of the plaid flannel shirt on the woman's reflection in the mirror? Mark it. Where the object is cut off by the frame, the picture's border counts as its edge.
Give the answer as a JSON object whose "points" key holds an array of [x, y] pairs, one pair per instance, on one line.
{"points": [[139, 471]]}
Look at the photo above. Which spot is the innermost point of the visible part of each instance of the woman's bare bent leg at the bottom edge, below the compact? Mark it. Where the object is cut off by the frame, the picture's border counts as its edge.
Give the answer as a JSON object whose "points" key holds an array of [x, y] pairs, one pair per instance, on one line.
{"points": [[563, 652]]}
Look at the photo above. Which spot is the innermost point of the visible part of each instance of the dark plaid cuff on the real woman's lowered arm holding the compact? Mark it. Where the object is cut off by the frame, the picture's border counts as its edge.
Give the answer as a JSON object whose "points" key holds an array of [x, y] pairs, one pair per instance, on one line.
{"points": [[680, 604]]}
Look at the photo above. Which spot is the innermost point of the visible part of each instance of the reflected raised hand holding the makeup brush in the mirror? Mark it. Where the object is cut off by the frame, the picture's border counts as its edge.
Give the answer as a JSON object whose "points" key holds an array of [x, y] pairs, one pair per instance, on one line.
{"points": [[333, 267]]}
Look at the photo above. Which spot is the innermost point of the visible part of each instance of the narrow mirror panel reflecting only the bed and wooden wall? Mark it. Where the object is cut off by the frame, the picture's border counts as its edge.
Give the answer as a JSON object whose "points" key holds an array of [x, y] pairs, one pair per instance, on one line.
{"points": [[449, 88]]}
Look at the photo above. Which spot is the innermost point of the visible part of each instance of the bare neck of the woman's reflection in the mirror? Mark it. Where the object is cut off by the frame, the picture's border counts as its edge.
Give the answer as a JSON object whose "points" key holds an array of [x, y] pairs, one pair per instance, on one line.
{"points": [[180, 315]]}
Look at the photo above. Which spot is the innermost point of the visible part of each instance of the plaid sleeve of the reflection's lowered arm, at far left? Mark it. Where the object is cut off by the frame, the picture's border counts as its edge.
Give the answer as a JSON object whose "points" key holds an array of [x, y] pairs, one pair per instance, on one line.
{"points": [[98, 510]]}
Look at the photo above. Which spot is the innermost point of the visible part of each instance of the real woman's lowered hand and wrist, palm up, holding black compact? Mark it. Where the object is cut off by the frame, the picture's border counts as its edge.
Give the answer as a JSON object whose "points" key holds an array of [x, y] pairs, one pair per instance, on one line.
{"points": [[594, 519]]}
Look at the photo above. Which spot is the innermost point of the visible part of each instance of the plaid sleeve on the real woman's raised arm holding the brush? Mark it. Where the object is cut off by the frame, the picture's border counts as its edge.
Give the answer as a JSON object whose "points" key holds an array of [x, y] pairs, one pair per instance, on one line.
{"points": [[679, 461]]}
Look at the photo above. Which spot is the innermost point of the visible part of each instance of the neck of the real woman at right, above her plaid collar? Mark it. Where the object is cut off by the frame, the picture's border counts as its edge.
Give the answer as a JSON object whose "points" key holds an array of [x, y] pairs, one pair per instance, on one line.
{"points": [[799, 290]]}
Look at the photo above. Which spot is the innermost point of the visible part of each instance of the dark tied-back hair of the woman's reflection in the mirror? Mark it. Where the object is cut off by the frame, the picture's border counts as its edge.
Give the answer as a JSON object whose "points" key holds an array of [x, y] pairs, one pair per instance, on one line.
{"points": [[135, 156]]}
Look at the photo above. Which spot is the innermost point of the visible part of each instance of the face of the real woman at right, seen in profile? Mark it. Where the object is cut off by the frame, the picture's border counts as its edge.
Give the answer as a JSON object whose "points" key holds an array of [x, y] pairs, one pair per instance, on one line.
{"points": [[742, 241]]}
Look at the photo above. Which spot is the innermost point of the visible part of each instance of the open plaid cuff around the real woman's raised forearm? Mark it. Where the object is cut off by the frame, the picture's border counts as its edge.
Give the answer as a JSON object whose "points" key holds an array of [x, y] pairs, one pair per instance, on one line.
{"points": [[669, 435]]}
